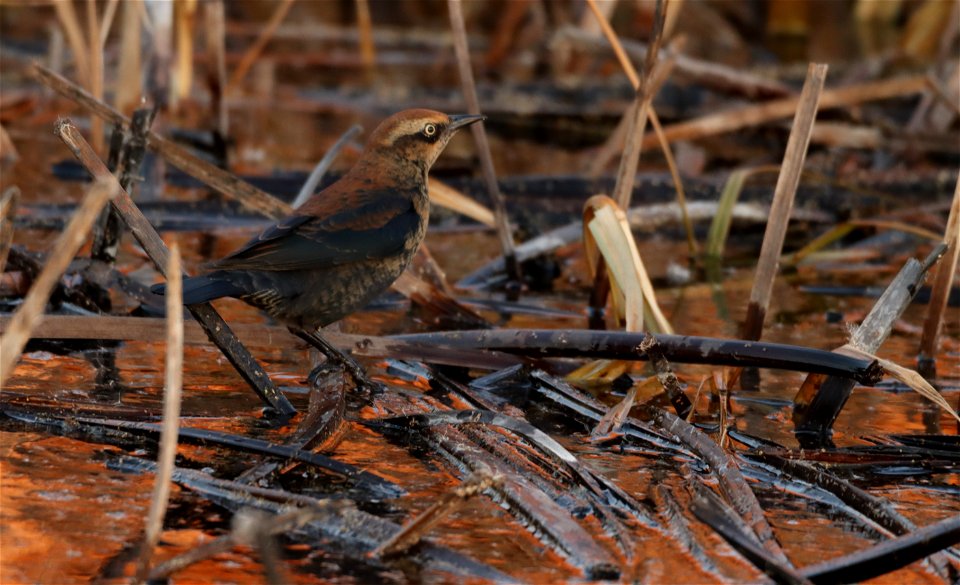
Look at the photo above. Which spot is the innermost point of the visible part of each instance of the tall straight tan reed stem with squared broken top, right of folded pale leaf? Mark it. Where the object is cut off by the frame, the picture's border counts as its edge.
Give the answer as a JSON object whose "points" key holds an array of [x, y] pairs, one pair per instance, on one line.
{"points": [[783, 196]]}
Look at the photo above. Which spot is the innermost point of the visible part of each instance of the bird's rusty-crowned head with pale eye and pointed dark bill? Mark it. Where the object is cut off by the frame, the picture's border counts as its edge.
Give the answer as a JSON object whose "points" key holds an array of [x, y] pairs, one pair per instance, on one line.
{"points": [[410, 141]]}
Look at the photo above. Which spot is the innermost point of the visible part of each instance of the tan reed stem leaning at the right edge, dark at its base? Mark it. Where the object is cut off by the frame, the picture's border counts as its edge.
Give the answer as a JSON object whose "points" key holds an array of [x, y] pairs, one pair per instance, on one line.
{"points": [[940, 290]]}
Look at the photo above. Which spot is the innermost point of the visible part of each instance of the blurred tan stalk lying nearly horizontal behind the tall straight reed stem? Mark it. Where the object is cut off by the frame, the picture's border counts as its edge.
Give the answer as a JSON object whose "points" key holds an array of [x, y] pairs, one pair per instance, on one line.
{"points": [[749, 116]]}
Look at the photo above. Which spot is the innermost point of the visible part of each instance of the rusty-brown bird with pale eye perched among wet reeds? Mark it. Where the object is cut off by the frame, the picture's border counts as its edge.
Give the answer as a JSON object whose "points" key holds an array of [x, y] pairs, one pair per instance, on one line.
{"points": [[346, 244]]}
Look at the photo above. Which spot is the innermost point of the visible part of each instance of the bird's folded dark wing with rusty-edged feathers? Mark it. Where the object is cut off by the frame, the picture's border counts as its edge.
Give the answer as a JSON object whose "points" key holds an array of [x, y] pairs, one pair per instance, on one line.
{"points": [[378, 227]]}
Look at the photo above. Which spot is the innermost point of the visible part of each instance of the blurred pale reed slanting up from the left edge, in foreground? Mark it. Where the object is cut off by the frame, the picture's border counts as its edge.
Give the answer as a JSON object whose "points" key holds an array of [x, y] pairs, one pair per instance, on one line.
{"points": [[68, 244]]}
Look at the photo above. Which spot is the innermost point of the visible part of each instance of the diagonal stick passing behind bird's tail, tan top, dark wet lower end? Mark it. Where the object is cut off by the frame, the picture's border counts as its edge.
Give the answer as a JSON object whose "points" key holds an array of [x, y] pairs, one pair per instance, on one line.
{"points": [[153, 245]]}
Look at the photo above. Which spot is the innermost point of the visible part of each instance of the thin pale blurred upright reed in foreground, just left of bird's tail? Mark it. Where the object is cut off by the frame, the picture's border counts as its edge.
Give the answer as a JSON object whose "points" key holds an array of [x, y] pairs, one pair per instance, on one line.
{"points": [[173, 377]]}
